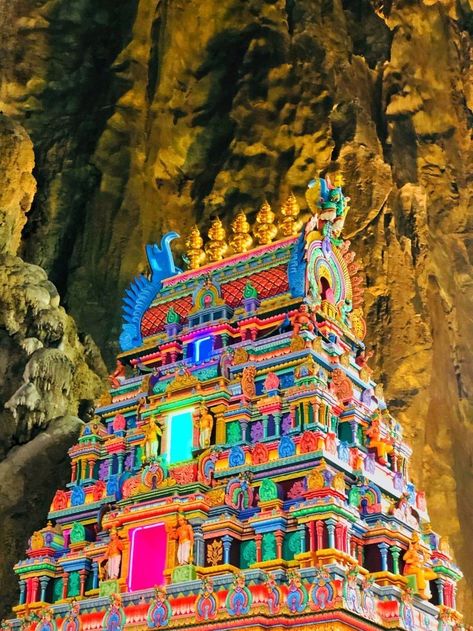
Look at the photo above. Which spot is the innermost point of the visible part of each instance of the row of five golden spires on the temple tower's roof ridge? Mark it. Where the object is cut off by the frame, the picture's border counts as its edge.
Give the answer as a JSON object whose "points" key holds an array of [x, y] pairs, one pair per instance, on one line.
{"points": [[266, 228]]}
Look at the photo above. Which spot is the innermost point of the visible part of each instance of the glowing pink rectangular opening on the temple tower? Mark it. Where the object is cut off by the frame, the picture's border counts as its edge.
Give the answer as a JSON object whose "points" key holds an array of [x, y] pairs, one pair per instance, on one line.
{"points": [[147, 556]]}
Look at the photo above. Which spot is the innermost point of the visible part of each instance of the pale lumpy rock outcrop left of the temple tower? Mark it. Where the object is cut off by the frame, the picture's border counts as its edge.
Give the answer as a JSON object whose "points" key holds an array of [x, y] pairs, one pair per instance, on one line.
{"points": [[47, 374]]}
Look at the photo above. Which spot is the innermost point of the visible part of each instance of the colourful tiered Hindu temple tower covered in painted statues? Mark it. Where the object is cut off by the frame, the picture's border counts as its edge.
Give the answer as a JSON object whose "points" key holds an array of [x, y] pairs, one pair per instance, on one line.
{"points": [[244, 471]]}
